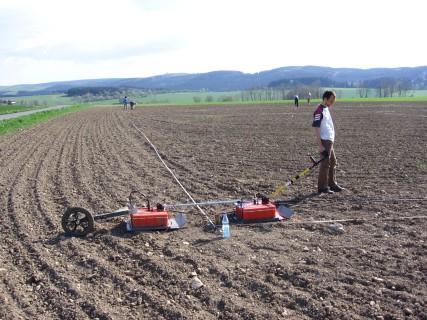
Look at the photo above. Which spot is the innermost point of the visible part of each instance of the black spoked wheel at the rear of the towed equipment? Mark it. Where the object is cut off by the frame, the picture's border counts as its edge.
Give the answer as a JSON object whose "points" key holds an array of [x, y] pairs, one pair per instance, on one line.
{"points": [[77, 221]]}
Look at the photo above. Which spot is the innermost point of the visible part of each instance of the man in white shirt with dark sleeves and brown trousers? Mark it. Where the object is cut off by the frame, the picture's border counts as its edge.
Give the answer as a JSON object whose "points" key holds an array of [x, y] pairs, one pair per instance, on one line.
{"points": [[325, 137]]}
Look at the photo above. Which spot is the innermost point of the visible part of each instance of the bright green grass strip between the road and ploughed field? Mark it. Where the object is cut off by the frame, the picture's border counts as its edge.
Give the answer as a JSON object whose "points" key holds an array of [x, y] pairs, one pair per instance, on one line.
{"points": [[12, 125]]}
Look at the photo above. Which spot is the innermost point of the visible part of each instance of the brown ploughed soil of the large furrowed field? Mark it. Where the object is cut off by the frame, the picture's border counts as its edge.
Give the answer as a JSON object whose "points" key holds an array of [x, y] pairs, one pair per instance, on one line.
{"points": [[293, 269]]}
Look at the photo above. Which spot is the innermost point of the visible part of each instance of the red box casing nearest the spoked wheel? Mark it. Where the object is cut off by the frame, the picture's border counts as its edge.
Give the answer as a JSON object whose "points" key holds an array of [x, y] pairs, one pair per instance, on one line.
{"points": [[149, 218]]}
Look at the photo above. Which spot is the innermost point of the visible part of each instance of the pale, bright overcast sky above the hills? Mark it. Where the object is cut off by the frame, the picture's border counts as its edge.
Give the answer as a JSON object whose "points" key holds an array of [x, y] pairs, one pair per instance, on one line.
{"points": [[55, 40]]}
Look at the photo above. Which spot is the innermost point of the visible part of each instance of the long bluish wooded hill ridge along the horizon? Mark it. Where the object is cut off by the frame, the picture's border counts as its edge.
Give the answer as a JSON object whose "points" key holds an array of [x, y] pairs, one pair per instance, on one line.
{"points": [[234, 80]]}
